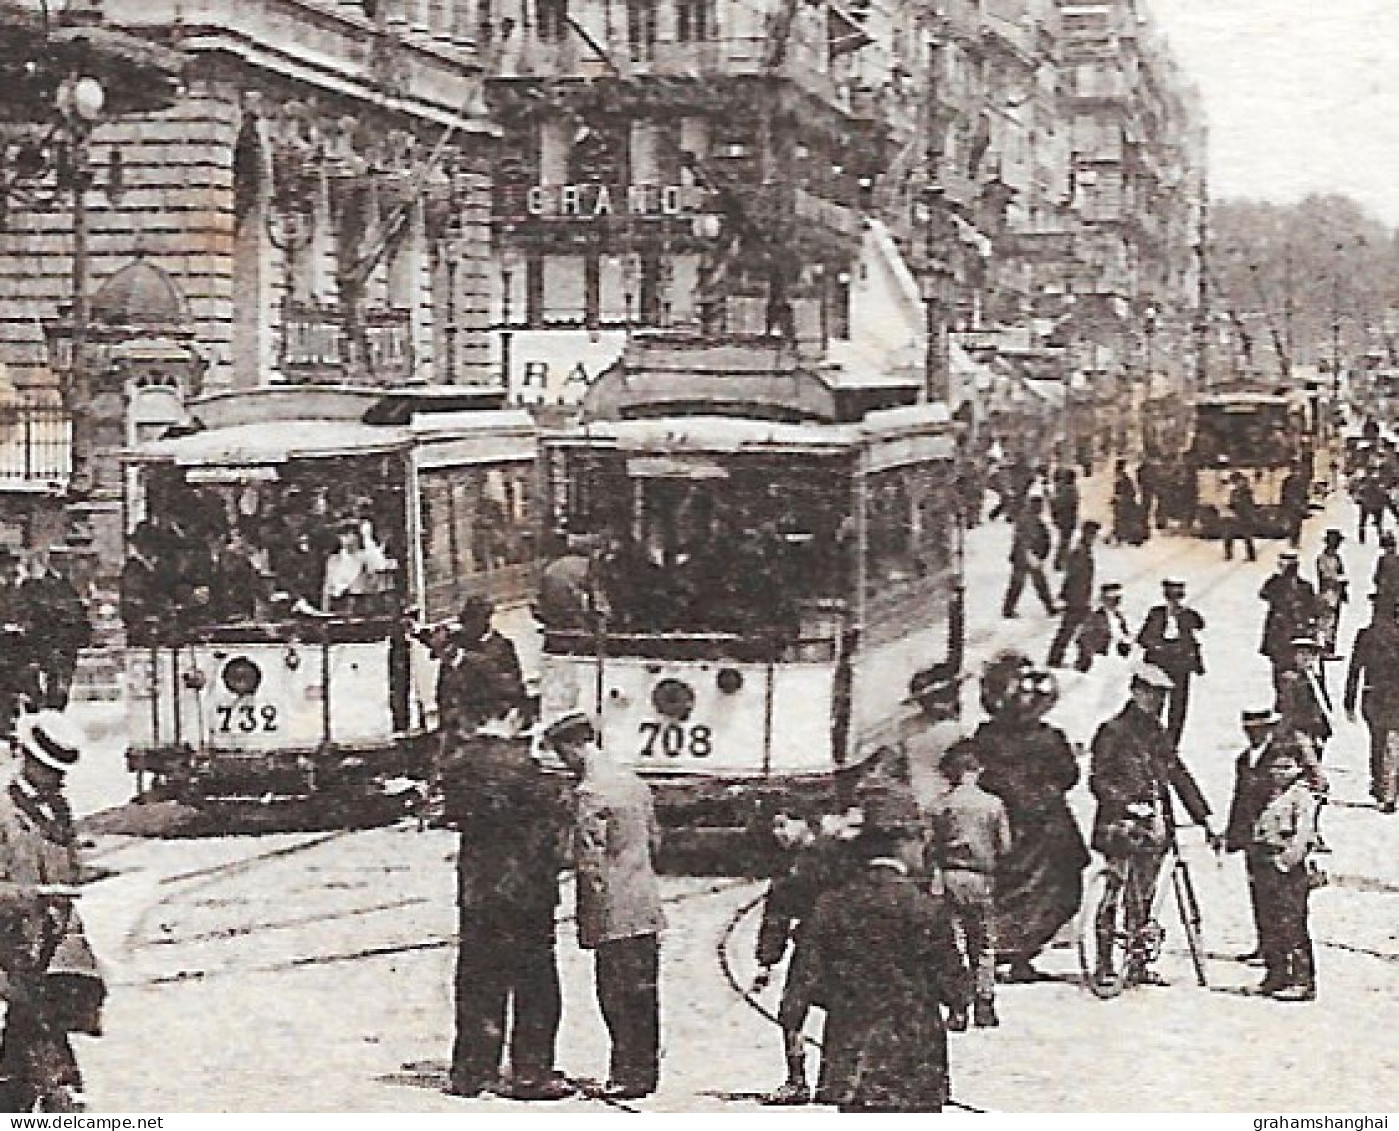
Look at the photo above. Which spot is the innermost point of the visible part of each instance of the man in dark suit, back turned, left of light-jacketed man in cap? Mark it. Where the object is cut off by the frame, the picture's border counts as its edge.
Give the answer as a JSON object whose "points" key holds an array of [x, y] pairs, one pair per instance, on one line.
{"points": [[513, 836]]}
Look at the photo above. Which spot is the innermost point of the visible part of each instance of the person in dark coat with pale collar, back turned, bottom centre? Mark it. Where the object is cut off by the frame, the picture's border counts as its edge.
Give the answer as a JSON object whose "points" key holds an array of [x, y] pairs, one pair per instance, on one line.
{"points": [[889, 962]]}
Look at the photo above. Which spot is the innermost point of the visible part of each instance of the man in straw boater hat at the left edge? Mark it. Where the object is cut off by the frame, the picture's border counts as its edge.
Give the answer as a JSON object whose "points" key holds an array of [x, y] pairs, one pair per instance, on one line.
{"points": [[51, 979]]}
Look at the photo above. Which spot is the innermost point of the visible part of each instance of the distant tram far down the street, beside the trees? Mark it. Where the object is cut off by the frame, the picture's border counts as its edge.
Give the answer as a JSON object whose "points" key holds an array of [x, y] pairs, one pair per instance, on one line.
{"points": [[1260, 436]]}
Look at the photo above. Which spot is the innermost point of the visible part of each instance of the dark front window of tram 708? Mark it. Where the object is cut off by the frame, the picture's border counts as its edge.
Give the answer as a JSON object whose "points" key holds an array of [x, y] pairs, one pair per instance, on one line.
{"points": [[751, 556]]}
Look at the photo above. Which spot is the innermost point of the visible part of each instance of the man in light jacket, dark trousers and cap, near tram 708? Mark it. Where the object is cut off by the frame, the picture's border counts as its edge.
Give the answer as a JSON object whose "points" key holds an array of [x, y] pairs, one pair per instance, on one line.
{"points": [[616, 838]]}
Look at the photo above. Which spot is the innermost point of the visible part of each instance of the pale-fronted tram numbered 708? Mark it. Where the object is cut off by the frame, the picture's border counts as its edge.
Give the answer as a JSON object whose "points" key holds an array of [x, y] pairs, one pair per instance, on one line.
{"points": [[776, 576]]}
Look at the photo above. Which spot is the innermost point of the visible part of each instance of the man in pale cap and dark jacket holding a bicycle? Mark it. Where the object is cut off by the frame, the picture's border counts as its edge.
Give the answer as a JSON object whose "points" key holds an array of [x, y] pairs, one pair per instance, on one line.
{"points": [[1134, 771]]}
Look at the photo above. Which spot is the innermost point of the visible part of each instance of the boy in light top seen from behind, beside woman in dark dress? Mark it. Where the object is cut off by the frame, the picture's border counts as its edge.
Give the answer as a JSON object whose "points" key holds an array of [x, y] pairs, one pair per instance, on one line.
{"points": [[970, 835]]}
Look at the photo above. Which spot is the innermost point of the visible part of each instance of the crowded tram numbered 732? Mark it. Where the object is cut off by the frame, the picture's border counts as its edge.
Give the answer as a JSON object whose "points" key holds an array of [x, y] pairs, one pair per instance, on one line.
{"points": [[294, 538]]}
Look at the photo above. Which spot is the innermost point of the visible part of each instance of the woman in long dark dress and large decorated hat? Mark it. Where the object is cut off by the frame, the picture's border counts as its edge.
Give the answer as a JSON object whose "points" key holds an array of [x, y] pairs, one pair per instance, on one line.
{"points": [[1032, 768]]}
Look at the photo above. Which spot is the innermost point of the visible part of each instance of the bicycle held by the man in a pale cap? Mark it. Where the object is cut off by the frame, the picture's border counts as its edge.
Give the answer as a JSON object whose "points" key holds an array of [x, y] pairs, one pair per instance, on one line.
{"points": [[1112, 953]]}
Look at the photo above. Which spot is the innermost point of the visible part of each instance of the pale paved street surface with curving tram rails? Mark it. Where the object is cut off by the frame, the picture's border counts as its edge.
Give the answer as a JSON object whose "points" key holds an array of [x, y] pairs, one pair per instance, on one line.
{"points": [[314, 972]]}
